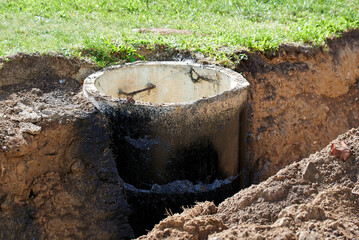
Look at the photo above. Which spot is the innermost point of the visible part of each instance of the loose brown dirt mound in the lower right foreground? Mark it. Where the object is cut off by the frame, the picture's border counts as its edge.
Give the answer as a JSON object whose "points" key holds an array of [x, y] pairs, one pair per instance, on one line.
{"points": [[317, 197]]}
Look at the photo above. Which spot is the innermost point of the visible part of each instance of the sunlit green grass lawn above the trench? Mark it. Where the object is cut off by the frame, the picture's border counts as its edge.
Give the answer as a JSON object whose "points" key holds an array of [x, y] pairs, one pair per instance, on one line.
{"points": [[103, 29]]}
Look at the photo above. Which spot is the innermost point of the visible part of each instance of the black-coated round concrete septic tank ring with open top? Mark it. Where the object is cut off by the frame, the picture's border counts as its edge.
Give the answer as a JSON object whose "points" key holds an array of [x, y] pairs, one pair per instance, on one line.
{"points": [[175, 126]]}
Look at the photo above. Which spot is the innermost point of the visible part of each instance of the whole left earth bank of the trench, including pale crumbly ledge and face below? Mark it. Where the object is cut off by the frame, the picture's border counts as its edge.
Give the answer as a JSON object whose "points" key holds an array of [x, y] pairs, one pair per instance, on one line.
{"points": [[59, 179]]}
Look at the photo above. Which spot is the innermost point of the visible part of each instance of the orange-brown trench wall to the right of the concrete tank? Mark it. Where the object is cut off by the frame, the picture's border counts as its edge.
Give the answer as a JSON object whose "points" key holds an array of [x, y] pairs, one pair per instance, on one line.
{"points": [[299, 100]]}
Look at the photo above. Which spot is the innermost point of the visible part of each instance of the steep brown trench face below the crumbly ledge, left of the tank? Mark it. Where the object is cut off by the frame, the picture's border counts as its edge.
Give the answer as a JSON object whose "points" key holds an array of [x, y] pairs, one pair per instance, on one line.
{"points": [[62, 183]]}
